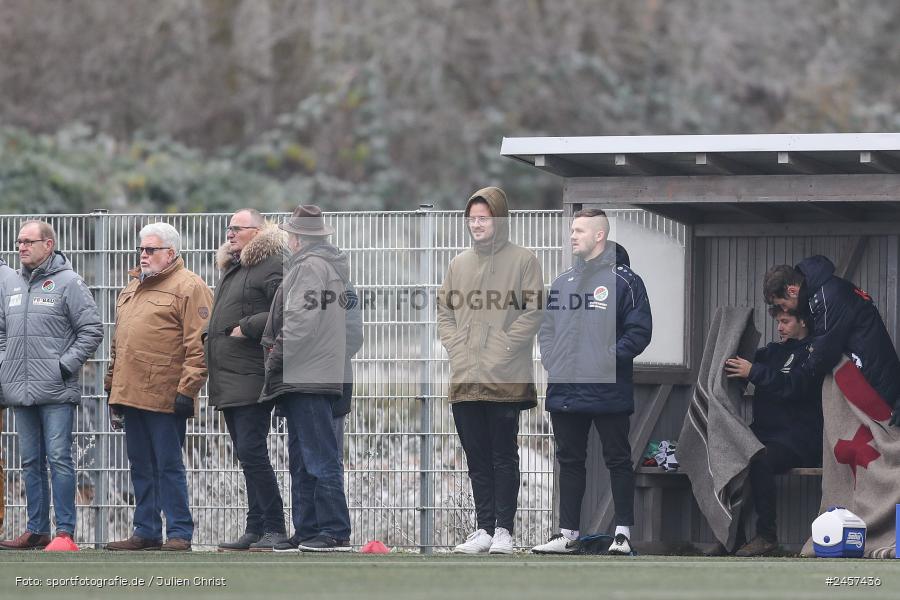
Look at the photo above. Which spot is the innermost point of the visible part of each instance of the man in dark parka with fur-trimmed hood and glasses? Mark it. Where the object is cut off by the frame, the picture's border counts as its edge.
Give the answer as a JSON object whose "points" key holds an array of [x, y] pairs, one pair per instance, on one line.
{"points": [[250, 263]]}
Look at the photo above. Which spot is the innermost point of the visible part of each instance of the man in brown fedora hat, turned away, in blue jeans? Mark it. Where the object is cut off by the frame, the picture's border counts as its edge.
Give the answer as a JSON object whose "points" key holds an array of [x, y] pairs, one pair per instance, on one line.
{"points": [[305, 342]]}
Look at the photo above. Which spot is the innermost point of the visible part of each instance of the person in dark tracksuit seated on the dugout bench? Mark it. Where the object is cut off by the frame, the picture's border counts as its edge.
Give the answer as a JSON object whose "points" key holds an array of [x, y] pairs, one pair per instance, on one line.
{"points": [[787, 418]]}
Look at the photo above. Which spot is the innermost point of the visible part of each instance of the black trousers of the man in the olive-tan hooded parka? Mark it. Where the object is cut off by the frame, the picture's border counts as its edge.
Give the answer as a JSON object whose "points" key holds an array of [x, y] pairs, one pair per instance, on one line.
{"points": [[488, 432]]}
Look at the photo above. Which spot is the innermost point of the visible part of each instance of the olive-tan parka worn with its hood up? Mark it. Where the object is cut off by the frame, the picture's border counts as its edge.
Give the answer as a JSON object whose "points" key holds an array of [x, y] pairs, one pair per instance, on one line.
{"points": [[489, 313]]}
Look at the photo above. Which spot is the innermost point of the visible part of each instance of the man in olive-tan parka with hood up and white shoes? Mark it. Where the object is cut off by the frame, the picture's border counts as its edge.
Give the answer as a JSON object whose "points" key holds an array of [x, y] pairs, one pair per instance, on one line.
{"points": [[488, 315]]}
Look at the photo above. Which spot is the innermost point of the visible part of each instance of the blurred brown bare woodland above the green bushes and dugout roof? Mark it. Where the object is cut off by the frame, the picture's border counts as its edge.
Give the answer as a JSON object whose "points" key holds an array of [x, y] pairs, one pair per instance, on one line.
{"points": [[418, 94]]}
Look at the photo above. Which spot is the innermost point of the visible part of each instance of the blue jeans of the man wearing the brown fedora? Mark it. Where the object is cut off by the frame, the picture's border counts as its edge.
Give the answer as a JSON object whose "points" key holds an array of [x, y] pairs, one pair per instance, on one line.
{"points": [[317, 476]]}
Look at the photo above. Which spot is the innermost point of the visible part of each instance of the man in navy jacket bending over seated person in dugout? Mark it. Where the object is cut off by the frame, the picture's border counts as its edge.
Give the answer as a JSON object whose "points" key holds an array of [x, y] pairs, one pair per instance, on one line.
{"points": [[845, 322]]}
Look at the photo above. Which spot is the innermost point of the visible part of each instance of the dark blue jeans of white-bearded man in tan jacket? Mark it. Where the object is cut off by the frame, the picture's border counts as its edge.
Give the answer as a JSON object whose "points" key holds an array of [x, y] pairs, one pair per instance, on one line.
{"points": [[154, 442]]}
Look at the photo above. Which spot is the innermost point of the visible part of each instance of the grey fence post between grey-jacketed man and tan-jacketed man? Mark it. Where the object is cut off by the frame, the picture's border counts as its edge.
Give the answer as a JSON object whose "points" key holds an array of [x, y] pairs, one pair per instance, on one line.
{"points": [[101, 483]]}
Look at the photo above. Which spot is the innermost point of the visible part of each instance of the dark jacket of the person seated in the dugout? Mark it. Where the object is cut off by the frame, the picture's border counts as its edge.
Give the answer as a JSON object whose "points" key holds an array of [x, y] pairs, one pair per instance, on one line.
{"points": [[787, 403]]}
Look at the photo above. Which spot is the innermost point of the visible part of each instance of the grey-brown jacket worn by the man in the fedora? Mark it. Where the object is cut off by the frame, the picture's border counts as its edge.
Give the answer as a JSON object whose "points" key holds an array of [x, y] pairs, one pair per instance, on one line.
{"points": [[306, 334]]}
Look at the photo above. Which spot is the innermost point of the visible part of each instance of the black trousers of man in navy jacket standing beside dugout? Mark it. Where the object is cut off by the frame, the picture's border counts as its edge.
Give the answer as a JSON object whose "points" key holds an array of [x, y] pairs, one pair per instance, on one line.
{"points": [[571, 433]]}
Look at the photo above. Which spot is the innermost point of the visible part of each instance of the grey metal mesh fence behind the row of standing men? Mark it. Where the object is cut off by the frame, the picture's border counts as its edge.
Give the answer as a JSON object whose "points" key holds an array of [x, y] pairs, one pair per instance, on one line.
{"points": [[406, 478]]}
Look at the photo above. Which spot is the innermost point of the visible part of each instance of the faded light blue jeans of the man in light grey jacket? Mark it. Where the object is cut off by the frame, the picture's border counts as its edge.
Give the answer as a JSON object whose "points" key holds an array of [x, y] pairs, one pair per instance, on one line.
{"points": [[45, 436]]}
